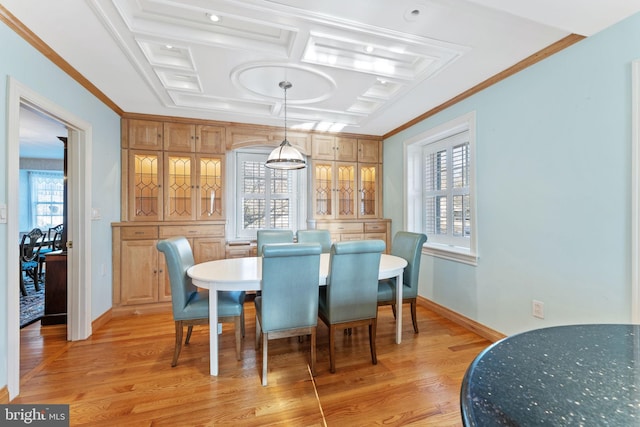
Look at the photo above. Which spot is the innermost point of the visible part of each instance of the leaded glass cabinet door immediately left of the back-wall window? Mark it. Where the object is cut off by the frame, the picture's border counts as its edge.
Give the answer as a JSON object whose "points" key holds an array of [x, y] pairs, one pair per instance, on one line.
{"points": [[210, 187]]}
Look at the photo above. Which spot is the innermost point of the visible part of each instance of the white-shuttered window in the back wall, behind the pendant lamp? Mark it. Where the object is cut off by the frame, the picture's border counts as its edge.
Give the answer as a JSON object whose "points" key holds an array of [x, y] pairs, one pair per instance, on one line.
{"points": [[266, 198]]}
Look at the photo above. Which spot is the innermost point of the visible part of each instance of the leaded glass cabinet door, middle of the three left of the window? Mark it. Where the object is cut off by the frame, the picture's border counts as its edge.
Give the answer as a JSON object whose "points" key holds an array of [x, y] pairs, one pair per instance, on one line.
{"points": [[179, 187]]}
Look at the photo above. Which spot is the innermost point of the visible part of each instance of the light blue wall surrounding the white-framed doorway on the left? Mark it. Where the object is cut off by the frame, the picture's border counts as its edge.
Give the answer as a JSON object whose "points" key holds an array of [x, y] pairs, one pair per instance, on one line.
{"points": [[30, 68]]}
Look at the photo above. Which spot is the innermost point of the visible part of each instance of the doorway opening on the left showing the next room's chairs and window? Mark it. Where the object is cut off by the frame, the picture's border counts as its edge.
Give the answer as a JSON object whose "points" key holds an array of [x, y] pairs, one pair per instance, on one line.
{"points": [[42, 206]]}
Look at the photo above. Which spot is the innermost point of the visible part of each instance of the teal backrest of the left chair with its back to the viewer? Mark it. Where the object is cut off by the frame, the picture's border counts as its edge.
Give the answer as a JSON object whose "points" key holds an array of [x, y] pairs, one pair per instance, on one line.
{"points": [[290, 278]]}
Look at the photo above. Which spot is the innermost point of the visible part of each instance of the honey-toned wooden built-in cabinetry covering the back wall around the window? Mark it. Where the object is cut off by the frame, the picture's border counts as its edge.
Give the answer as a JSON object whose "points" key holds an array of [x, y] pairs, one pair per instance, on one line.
{"points": [[173, 172]]}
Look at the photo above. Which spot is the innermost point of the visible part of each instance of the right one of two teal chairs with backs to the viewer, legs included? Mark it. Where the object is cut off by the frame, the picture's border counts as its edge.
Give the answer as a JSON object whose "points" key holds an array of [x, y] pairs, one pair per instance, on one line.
{"points": [[350, 297]]}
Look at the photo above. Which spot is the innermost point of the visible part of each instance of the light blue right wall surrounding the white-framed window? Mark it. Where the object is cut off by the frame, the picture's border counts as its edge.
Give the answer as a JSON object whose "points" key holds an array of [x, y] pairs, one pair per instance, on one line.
{"points": [[553, 187]]}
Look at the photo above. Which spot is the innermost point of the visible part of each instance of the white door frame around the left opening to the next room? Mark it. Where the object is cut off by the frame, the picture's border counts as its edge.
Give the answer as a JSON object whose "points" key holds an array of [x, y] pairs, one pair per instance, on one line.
{"points": [[79, 208]]}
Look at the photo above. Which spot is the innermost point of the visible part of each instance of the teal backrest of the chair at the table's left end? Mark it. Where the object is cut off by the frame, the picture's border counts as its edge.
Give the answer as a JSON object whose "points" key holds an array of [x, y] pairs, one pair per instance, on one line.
{"points": [[179, 257]]}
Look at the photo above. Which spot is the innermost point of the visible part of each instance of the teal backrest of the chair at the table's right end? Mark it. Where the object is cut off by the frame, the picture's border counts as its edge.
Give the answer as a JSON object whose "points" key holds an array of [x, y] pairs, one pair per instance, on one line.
{"points": [[408, 245]]}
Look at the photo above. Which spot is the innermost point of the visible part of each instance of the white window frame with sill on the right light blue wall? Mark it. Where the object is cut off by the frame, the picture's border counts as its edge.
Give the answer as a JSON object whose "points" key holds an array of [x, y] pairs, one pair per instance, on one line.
{"points": [[415, 192]]}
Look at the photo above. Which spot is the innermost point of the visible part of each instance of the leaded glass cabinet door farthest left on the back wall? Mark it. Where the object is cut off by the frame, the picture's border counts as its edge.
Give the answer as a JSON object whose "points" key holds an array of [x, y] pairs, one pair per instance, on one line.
{"points": [[145, 186]]}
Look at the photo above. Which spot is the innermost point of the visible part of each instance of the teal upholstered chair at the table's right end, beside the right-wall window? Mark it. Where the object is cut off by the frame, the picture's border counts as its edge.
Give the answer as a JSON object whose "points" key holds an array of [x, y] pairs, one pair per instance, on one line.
{"points": [[406, 245]]}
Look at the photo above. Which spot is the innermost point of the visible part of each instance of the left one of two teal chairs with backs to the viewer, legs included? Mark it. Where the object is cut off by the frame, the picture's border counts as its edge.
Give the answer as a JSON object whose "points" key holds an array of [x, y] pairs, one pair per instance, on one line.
{"points": [[288, 305]]}
